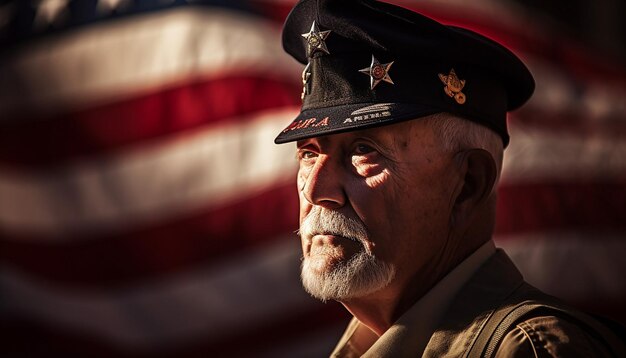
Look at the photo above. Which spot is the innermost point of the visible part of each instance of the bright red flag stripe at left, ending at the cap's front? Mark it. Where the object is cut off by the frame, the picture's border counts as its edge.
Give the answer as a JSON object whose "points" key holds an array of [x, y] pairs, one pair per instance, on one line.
{"points": [[51, 141]]}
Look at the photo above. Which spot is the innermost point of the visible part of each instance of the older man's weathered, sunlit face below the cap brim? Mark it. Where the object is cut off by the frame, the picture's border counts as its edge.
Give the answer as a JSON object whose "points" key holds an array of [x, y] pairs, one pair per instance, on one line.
{"points": [[375, 209]]}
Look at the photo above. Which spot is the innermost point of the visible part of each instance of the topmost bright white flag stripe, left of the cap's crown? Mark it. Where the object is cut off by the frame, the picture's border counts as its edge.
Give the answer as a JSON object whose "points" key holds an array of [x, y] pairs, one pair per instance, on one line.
{"points": [[111, 60]]}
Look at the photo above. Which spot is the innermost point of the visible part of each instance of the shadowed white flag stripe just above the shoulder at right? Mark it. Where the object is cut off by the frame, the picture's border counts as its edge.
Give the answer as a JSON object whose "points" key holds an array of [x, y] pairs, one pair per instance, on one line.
{"points": [[570, 265]]}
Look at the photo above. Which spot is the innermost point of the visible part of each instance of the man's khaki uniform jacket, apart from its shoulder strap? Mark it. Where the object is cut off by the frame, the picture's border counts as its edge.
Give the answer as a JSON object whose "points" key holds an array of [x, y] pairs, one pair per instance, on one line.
{"points": [[496, 283]]}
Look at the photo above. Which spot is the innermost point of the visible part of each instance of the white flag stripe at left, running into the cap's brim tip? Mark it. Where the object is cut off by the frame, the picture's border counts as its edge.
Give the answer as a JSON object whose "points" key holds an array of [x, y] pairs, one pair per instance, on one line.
{"points": [[207, 168]]}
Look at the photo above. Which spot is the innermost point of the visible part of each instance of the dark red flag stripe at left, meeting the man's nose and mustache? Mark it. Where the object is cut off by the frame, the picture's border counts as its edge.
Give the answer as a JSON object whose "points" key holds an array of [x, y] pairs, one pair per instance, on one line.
{"points": [[158, 250]]}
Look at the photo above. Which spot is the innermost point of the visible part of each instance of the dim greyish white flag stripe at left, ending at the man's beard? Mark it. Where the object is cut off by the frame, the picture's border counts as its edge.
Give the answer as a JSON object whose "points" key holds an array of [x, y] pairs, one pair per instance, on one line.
{"points": [[260, 286]]}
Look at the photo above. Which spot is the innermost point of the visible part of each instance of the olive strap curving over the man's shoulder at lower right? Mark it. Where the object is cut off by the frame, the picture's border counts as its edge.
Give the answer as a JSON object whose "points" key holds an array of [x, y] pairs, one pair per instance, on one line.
{"points": [[502, 320]]}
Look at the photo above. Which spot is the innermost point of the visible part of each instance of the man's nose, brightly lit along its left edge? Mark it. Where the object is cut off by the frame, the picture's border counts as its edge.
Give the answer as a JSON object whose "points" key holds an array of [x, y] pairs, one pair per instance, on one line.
{"points": [[323, 186]]}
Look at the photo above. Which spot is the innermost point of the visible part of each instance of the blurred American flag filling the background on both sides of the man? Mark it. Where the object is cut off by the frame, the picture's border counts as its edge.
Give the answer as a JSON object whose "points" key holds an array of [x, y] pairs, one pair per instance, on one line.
{"points": [[146, 212]]}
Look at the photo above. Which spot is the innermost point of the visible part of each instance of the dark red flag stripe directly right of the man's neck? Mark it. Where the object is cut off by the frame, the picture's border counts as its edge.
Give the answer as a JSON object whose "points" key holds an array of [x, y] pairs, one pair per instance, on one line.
{"points": [[576, 205]]}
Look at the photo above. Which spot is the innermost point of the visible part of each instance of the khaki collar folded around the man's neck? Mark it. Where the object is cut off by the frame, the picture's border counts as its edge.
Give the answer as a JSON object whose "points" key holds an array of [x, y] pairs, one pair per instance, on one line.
{"points": [[491, 283]]}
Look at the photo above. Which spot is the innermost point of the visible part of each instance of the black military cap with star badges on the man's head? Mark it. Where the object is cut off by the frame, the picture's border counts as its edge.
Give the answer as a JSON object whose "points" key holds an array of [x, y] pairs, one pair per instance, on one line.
{"points": [[370, 64]]}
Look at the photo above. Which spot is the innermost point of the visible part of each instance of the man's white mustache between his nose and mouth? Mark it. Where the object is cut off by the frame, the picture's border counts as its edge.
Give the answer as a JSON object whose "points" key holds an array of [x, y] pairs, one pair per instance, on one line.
{"points": [[322, 221]]}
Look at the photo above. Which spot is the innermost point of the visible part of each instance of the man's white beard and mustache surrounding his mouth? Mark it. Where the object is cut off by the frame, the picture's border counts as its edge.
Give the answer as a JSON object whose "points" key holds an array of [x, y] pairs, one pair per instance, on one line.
{"points": [[360, 275]]}
